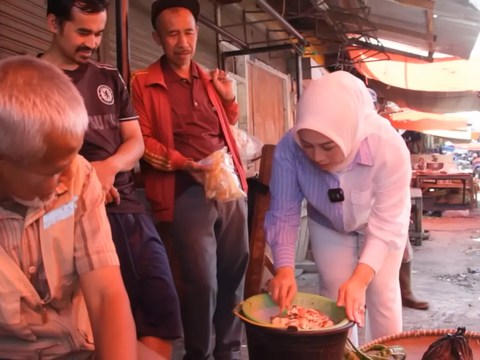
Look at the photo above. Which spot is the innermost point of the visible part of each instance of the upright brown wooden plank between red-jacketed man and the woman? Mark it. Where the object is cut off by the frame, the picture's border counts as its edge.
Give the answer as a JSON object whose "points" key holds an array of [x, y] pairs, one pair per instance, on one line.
{"points": [[253, 281]]}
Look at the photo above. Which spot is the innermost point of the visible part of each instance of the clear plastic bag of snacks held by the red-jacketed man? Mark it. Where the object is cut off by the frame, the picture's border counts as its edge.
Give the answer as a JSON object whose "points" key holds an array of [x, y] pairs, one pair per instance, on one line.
{"points": [[221, 182]]}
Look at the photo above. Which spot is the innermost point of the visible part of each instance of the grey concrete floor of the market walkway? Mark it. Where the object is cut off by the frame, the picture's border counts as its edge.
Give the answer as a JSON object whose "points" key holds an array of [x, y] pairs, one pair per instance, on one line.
{"points": [[446, 272]]}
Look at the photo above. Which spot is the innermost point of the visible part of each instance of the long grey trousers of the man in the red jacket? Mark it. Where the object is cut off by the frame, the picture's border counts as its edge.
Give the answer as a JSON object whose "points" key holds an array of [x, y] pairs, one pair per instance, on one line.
{"points": [[211, 239]]}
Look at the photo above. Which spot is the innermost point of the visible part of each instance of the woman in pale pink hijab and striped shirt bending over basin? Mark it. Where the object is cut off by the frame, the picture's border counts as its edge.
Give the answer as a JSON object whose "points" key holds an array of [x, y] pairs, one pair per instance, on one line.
{"points": [[338, 158]]}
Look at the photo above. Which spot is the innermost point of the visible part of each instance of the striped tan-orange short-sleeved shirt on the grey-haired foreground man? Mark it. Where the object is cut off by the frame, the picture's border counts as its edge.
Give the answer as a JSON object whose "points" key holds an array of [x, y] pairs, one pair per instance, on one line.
{"points": [[43, 253]]}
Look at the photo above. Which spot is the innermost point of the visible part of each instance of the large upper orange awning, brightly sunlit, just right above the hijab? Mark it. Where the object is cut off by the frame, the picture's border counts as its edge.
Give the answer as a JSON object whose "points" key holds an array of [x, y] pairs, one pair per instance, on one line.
{"points": [[441, 75]]}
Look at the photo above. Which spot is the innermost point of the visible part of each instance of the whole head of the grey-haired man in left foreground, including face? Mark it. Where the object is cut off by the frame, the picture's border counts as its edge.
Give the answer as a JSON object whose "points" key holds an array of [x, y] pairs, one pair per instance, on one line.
{"points": [[43, 121]]}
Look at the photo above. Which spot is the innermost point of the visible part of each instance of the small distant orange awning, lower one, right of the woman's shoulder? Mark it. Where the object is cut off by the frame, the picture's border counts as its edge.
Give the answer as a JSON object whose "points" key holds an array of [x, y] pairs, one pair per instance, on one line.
{"points": [[419, 121]]}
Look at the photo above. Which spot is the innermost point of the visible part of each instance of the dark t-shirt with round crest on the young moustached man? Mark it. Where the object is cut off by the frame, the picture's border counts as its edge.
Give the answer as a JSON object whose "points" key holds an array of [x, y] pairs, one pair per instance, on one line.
{"points": [[108, 104]]}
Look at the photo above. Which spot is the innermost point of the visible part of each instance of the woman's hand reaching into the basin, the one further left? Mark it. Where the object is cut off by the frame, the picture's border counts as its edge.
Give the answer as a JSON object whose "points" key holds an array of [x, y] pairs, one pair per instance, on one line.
{"points": [[283, 287]]}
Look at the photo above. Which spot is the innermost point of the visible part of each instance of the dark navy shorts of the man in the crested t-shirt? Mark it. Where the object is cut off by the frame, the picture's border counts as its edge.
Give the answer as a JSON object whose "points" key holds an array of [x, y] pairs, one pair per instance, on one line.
{"points": [[147, 276]]}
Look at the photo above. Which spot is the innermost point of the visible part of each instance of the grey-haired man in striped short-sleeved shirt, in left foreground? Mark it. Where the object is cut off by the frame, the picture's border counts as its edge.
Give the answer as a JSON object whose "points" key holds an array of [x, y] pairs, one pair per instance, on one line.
{"points": [[60, 276]]}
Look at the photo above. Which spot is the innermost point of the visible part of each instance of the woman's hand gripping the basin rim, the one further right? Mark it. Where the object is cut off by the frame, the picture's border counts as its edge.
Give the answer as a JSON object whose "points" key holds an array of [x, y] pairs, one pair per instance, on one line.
{"points": [[351, 294]]}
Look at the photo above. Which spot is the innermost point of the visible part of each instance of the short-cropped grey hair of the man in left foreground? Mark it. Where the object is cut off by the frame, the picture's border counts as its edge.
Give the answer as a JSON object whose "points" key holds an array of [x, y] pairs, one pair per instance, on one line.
{"points": [[36, 99]]}
